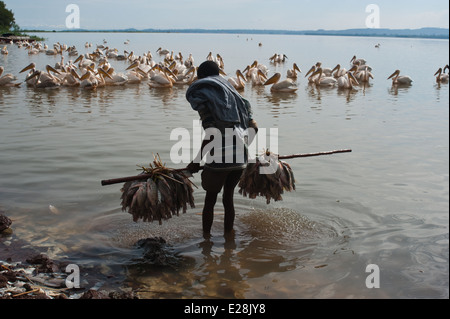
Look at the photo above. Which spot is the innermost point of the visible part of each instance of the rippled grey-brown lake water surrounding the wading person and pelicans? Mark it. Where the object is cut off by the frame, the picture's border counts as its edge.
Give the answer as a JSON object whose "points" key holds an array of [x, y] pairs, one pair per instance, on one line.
{"points": [[384, 204]]}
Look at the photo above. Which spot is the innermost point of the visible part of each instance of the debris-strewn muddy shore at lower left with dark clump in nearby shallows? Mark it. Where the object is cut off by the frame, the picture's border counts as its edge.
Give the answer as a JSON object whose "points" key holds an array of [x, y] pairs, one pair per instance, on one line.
{"points": [[26, 272]]}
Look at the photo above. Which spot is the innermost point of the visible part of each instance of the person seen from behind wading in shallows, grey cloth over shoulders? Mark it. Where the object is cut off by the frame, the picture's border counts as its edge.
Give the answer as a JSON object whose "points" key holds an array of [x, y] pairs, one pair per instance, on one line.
{"points": [[222, 111]]}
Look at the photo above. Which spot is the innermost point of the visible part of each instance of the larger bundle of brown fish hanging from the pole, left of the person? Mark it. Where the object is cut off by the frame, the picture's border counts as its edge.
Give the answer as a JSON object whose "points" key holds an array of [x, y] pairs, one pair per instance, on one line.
{"points": [[161, 194]]}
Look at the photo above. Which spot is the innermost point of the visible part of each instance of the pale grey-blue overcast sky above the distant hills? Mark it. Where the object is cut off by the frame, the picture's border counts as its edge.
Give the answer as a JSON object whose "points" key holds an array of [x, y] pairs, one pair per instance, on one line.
{"points": [[230, 14]]}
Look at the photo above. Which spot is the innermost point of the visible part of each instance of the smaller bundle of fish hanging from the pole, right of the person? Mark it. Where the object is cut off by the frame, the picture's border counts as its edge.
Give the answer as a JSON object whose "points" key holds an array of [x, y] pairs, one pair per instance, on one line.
{"points": [[267, 177]]}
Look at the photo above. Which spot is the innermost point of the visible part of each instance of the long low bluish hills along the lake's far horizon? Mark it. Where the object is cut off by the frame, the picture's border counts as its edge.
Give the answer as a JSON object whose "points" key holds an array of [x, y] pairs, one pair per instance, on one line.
{"points": [[433, 33]]}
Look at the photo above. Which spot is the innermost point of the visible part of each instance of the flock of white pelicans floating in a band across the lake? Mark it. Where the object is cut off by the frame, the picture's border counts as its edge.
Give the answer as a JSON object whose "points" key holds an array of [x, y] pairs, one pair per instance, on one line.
{"points": [[94, 69]]}
